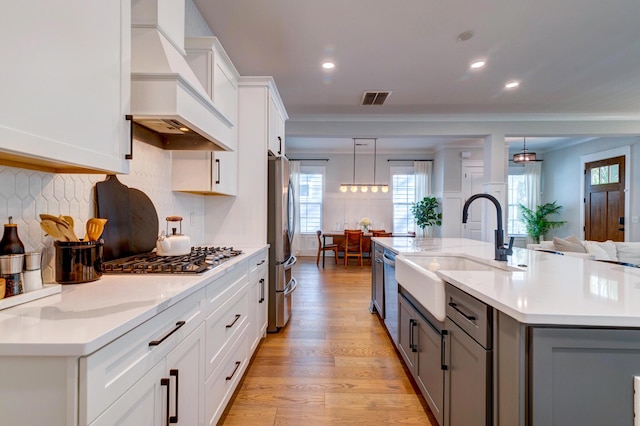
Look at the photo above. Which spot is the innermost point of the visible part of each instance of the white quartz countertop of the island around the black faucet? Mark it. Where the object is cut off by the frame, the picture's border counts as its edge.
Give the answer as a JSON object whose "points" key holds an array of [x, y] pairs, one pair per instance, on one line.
{"points": [[550, 289]]}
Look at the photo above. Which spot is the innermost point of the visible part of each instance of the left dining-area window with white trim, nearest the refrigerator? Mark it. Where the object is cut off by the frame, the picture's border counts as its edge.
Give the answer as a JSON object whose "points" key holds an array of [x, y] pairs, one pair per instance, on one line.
{"points": [[311, 194]]}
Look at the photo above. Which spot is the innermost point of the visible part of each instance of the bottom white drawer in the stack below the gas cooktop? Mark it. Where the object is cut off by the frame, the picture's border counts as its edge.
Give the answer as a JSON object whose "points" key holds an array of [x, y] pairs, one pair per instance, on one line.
{"points": [[220, 386]]}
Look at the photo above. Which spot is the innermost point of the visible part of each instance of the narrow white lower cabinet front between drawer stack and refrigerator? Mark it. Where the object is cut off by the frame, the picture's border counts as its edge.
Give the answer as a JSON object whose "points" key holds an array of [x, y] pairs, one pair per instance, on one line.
{"points": [[258, 299]]}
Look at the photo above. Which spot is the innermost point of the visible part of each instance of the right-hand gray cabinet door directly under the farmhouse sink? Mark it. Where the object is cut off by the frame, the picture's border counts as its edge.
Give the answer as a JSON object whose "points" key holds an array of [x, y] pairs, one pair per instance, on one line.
{"points": [[429, 374]]}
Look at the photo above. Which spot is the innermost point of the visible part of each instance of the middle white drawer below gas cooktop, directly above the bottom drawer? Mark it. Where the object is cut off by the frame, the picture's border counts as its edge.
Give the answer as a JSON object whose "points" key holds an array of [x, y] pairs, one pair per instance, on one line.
{"points": [[224, 325]]}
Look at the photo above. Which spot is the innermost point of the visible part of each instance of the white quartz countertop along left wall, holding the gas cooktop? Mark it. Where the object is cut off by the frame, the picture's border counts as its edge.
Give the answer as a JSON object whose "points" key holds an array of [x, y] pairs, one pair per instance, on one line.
{"points": [[84, 317]]}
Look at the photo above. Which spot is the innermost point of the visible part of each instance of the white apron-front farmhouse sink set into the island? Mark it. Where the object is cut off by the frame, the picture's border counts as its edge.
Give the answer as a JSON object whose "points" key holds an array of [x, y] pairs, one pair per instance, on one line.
{"points": [[413, 273]]}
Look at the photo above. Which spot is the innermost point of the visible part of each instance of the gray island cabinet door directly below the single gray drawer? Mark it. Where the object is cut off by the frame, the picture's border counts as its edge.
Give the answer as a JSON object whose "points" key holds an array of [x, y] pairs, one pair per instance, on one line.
{"points": [[467, 385]]}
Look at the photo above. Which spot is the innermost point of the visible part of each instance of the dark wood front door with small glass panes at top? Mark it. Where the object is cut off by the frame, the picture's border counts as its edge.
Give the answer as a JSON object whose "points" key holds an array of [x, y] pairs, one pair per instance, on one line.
{"points": [[604, 199]]}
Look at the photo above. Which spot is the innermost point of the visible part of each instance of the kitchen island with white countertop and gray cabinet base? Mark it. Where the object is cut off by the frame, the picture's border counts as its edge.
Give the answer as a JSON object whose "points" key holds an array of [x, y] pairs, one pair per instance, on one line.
{"points": [[540, 339]]}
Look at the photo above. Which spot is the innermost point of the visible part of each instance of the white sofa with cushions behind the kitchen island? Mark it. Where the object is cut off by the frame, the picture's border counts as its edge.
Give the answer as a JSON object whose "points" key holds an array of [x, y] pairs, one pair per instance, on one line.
{"points": [[624, 252]]}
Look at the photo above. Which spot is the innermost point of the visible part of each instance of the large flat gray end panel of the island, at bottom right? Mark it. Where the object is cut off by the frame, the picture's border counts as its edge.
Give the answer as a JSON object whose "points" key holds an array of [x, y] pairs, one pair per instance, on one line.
{"points": [[583, 376]]}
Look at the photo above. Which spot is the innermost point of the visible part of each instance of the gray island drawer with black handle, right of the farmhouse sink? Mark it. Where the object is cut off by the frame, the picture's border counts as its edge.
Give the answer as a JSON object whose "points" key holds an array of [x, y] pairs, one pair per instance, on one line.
{"points": [[470, 314]]}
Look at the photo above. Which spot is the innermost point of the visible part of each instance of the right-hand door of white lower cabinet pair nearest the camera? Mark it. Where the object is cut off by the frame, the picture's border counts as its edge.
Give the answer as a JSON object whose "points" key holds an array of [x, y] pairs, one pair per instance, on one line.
{"points": [[185, 366]]}
